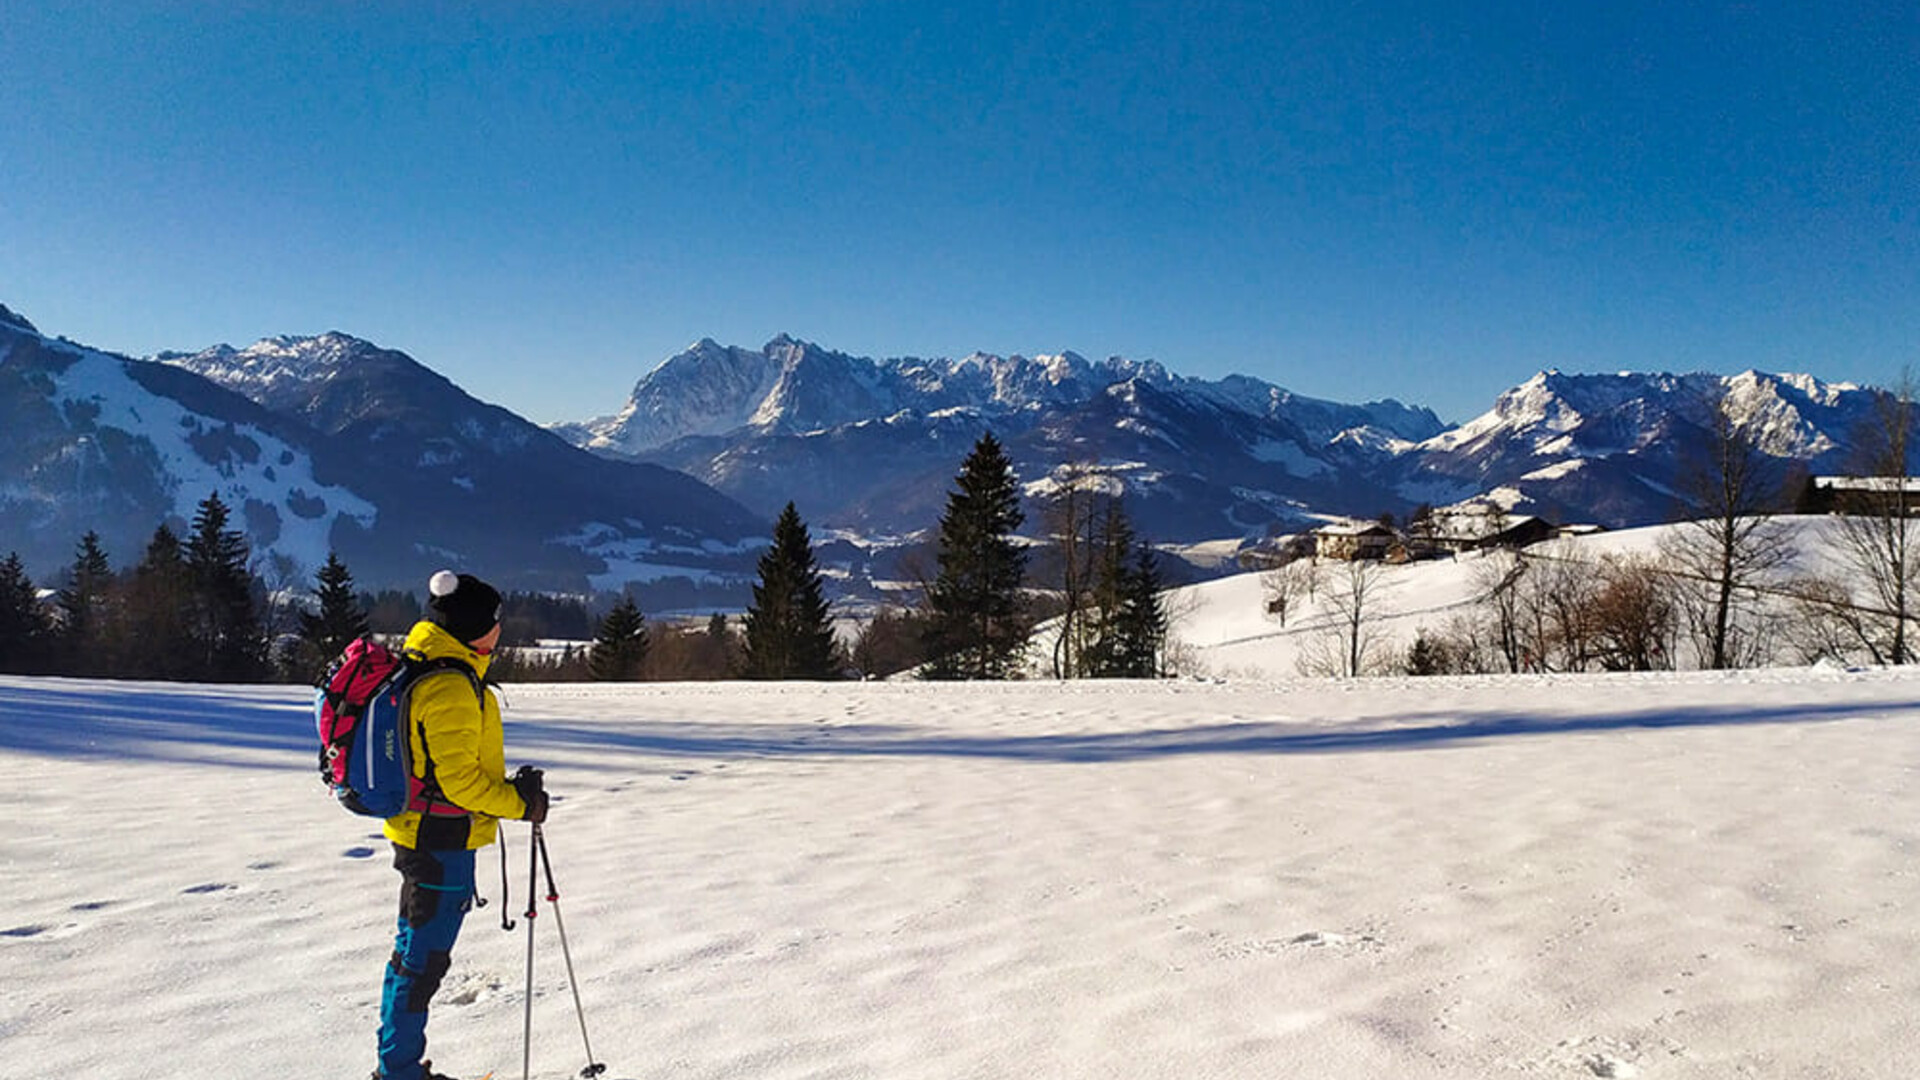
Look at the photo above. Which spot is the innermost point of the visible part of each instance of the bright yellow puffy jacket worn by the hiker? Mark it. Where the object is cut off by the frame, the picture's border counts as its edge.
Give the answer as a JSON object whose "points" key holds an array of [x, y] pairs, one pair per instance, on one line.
{"points": [[464, 739]]}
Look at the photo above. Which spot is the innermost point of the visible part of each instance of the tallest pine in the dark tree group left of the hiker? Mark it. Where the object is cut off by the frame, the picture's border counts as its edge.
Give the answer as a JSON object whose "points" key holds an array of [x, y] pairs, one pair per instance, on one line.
{"points": [[228, 639]]}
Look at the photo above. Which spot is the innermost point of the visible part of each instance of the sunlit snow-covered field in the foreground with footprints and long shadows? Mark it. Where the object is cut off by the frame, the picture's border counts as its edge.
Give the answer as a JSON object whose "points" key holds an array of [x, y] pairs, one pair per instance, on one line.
{"points": [[1685, 875]]}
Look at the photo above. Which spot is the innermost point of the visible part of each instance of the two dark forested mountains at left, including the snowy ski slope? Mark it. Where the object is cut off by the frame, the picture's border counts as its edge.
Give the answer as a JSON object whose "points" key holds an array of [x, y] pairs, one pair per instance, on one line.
{"points": [[337, 445]]}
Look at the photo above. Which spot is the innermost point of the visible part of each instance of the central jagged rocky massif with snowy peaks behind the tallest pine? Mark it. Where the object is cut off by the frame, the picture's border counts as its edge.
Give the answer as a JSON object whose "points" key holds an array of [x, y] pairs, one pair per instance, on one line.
{"points": [[873, 445]]}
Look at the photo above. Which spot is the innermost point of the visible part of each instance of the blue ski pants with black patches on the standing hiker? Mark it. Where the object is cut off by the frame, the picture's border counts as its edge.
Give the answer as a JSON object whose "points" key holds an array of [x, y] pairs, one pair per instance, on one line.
{"points": [[435, 893]]}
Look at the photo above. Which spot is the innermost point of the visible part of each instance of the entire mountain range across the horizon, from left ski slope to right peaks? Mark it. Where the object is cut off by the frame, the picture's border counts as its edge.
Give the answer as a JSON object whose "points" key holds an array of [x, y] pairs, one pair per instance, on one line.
{"points": [[333, 443]]}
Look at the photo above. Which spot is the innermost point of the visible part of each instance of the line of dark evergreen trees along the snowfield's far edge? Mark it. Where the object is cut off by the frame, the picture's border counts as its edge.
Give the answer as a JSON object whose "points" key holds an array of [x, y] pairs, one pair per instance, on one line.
{"points": [[193, 610]]}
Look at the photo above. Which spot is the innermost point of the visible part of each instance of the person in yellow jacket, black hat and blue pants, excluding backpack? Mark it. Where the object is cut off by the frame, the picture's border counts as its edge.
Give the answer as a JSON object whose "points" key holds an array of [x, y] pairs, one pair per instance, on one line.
{"points": [[460, 797]]}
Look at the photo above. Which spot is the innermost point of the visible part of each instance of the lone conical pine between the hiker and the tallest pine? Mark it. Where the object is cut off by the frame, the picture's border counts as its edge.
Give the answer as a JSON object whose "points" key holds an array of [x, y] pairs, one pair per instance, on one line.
{"points": [[788, 629]]}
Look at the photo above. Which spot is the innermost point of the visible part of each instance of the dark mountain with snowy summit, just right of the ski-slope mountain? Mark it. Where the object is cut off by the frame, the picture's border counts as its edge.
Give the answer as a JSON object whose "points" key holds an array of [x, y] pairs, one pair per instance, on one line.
{"points": [[469, 481]]}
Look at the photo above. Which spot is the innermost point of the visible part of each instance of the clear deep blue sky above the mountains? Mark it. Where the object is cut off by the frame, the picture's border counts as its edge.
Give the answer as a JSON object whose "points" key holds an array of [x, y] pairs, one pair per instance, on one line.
{"points": [[1353, 201]]}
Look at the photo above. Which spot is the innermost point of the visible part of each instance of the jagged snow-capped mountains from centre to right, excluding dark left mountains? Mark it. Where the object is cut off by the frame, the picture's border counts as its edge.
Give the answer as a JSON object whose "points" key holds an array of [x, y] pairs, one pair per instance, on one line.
{"points": [[871, 447]]}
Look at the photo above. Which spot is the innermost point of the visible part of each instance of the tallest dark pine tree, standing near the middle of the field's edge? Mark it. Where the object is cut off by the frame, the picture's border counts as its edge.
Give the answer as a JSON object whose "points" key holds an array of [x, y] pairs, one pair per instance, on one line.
{"points": [[976, 618]]}
